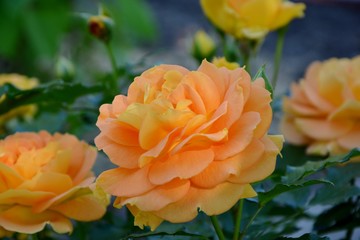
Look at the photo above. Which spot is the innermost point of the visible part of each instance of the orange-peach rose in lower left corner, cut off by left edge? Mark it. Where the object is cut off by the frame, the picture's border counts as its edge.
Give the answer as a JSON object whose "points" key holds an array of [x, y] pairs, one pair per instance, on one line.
{"points": [[47, 179]]}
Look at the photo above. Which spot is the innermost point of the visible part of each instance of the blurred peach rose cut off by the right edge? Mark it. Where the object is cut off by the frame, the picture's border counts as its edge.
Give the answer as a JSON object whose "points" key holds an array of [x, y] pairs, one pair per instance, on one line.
{"points": [[324, 109]]}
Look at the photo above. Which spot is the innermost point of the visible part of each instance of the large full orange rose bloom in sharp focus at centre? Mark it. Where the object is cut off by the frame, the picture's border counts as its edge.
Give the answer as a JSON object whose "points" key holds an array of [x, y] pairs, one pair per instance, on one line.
{"points": [[186, 140]]}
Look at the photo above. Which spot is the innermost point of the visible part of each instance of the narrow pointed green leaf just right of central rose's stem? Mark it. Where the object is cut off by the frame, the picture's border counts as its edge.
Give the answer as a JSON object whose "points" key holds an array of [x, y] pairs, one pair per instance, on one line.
{"points": [[265, 197]]}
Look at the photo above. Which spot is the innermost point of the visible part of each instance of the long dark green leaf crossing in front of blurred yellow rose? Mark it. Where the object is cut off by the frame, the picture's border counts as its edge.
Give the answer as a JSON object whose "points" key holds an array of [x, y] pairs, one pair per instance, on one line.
{"points": [[54, 95]]}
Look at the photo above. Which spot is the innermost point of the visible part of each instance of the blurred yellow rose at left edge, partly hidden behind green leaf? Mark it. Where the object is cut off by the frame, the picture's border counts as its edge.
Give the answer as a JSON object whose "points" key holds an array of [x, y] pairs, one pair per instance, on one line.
{"points": [[23, 83]]}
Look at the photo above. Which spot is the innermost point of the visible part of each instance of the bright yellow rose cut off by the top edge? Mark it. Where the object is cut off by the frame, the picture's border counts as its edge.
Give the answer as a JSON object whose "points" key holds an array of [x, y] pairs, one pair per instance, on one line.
{"points": [[251, 19]]}
